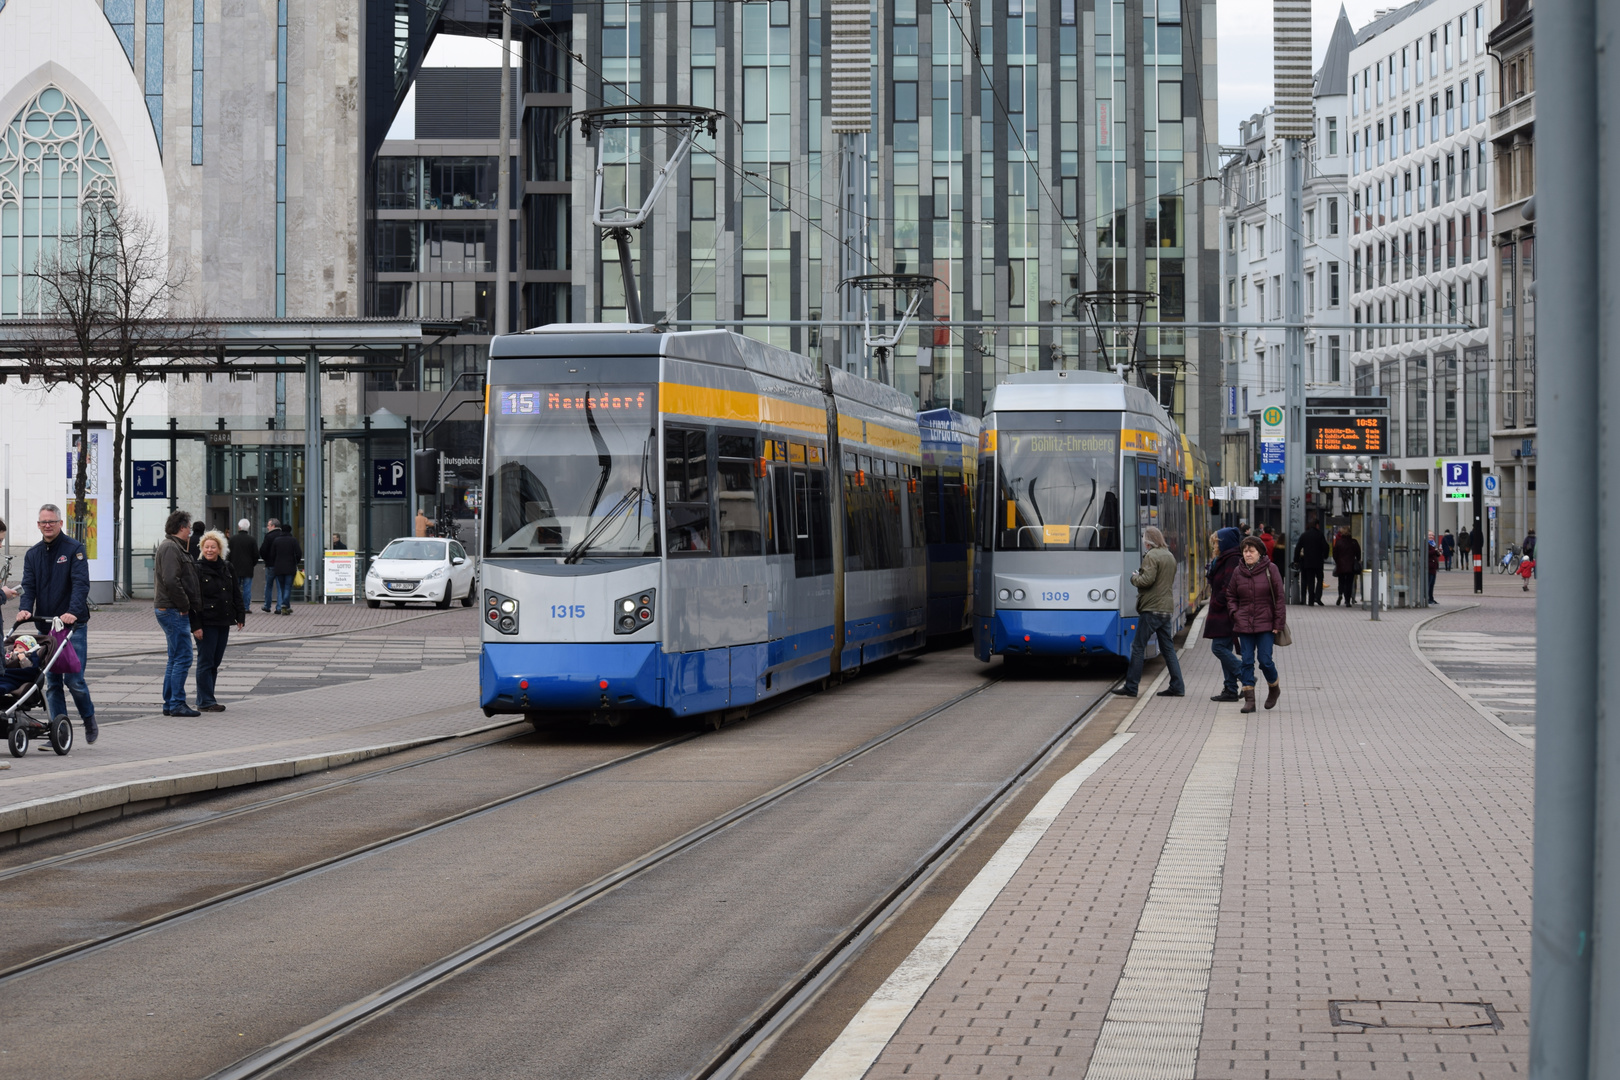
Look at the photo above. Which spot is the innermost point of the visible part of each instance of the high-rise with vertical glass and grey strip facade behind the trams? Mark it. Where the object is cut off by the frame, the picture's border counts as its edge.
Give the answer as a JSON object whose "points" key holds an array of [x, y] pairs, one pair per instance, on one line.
{"points": [[1020, 151]]}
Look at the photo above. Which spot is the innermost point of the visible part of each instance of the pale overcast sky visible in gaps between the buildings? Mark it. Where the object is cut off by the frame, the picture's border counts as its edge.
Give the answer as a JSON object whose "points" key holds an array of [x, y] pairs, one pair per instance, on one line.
{"points": [[1245, 41]]}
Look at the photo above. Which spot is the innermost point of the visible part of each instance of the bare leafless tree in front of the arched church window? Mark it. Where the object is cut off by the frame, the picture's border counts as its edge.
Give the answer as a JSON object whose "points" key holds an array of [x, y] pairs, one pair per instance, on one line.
{"points": [[111, 313]]}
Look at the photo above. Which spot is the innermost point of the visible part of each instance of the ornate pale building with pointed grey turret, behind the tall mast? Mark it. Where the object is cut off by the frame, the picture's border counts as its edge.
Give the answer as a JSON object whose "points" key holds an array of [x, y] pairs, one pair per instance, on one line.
{"points": [[1253, 260]]}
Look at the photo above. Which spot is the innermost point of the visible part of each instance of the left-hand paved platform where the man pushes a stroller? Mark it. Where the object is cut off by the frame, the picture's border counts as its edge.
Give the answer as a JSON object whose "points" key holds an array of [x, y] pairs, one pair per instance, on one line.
{"points": [[304, 692]]}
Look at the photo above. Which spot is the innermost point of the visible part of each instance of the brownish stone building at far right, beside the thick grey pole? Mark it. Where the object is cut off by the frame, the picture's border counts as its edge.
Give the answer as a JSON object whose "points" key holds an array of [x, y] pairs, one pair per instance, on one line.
{"points": [[1514, 245]]}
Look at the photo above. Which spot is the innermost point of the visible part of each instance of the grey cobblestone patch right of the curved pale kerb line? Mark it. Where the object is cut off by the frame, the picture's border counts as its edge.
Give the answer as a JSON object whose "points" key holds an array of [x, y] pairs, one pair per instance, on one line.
{"points": [[1491, 650]]}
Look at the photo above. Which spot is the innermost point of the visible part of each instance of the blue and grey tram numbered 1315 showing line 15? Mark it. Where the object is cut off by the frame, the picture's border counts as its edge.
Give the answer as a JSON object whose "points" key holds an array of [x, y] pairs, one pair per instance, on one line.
{"points": [[689, 524]]}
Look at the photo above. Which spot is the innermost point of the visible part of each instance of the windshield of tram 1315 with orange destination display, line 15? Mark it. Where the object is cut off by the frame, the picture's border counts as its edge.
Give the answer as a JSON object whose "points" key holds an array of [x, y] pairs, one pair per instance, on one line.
{"points": [[573, 472]]}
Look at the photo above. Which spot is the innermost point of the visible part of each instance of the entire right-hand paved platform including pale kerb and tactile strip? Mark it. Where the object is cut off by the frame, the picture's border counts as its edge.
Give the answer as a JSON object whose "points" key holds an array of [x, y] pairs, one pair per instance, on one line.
{"points": [[1337, 888]]}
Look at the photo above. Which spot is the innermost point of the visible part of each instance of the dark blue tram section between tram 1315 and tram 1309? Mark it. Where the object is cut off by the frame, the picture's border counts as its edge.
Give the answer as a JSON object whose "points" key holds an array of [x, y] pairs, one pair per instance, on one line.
{"points": [[950, 480]]}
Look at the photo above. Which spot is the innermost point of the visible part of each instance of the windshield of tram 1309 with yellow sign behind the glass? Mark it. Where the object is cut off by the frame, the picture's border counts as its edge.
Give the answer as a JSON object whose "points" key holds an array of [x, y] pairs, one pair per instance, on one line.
{"points": [[1059, 490]]}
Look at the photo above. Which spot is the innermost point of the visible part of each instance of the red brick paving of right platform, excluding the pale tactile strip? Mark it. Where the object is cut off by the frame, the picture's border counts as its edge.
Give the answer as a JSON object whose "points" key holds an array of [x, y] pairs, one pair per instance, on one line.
{"points": [[1379, 849]]}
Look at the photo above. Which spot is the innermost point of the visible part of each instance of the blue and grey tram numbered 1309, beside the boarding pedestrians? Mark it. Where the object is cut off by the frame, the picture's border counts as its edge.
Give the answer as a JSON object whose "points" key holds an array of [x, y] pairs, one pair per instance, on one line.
{"points": [[1073, 466]]}
